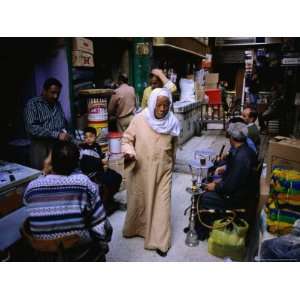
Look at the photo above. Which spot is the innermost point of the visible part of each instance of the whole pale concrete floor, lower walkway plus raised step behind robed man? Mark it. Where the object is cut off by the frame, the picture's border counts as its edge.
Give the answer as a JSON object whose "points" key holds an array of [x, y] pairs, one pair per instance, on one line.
{"points": [[131, 250]]}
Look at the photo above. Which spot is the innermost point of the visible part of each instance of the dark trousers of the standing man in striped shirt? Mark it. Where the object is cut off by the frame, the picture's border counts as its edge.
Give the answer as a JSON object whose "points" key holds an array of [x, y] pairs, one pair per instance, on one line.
{"points": [[39, 150]]}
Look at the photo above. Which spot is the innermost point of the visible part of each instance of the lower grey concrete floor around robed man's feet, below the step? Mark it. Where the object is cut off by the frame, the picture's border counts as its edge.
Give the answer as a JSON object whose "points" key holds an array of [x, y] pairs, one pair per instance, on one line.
{"points": [[131, 250]]}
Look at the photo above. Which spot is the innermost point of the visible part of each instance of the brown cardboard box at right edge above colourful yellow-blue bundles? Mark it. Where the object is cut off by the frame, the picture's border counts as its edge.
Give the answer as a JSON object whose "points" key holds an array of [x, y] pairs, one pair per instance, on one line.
{"points": [[283, 151]]}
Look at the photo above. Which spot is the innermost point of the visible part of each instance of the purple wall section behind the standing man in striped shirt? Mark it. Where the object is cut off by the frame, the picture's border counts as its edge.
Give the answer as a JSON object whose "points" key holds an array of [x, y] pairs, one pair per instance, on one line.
{"points": [[56, 66]]}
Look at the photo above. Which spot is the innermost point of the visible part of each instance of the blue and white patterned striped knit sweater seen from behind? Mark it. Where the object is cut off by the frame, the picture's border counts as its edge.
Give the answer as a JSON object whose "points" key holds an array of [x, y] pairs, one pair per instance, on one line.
{"points": [[64, 205]]}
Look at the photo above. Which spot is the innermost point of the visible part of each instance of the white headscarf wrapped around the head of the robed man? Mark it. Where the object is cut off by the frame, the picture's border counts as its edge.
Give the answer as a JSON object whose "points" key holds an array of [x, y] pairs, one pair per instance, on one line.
{"points": [[167, 125]]}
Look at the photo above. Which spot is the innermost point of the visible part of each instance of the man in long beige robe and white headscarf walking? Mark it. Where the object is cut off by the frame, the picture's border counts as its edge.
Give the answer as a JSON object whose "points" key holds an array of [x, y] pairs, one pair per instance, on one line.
{"points": [[149, 146]]}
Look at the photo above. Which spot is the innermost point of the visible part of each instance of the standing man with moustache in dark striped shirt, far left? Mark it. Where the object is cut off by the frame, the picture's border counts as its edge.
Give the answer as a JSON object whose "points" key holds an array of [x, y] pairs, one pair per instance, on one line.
{"points": [[45, 122]]}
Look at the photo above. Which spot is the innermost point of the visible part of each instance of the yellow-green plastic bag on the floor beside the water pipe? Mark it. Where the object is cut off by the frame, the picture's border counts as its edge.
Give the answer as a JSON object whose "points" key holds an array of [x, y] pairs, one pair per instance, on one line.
{"points": [[228, 241]]}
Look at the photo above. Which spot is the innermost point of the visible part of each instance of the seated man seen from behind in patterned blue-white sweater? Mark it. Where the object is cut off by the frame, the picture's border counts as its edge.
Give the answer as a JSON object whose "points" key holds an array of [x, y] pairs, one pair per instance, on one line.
{"points": [[65, 203]]}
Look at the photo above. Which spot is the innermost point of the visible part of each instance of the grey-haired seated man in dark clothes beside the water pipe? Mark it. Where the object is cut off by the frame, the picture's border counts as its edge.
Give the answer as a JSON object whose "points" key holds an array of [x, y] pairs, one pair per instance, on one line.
{"points": [[238, 178]]}
